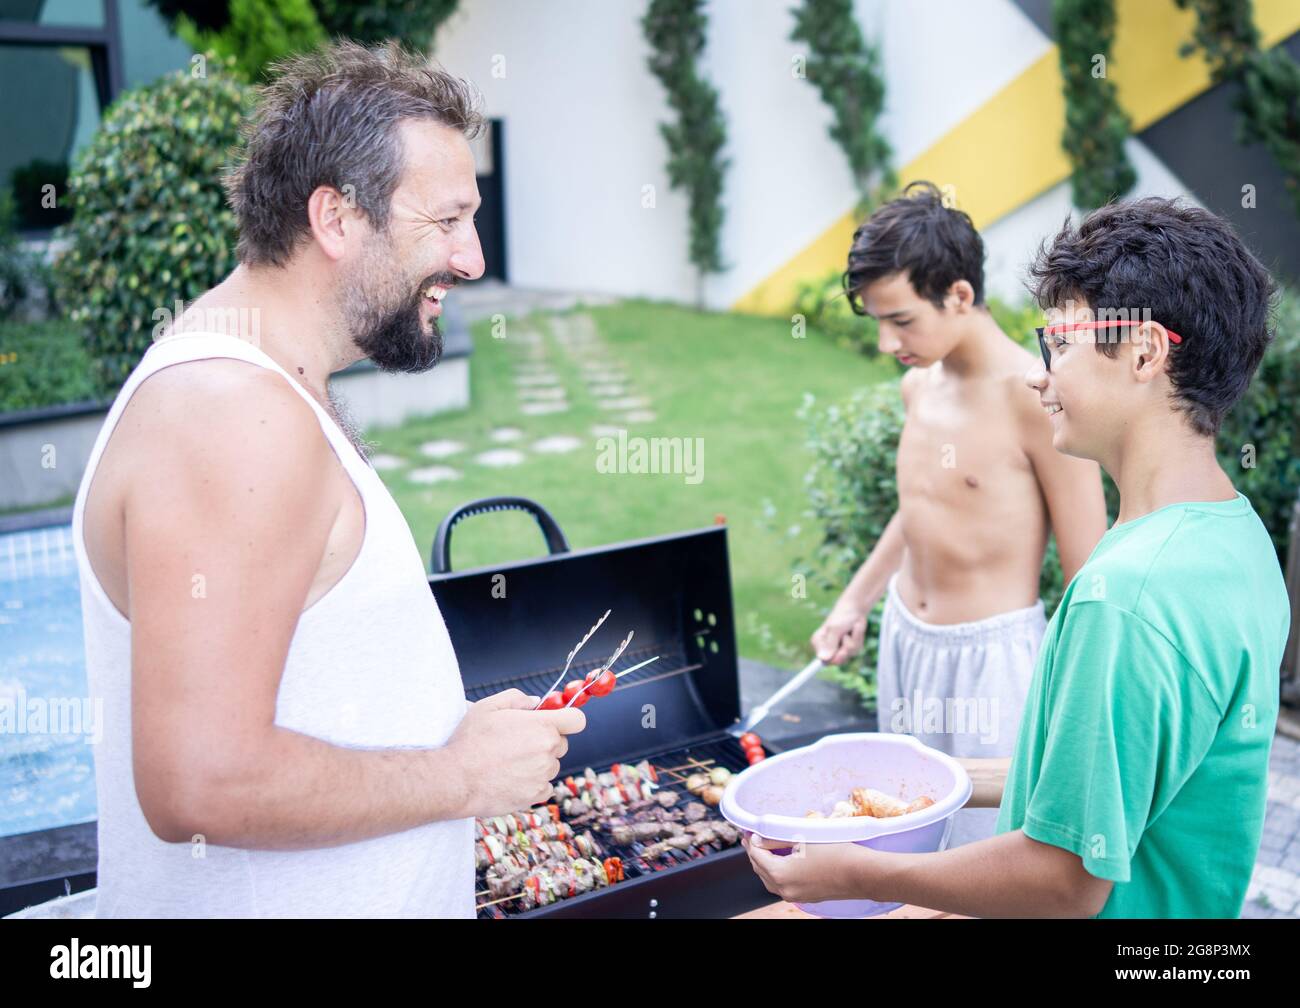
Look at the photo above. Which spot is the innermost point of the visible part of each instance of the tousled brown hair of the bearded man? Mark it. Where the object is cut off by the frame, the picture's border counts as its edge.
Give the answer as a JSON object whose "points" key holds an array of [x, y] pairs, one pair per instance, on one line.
{"points": [[330, 118]]}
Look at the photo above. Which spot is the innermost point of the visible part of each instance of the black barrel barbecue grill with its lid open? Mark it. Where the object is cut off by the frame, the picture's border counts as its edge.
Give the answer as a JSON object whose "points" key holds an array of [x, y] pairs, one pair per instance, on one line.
{"points": [[514, 625]]}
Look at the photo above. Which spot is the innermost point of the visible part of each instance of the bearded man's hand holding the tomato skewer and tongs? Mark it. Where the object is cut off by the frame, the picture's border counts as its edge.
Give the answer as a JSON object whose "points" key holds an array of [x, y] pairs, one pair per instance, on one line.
{"points": [[509, 754]]}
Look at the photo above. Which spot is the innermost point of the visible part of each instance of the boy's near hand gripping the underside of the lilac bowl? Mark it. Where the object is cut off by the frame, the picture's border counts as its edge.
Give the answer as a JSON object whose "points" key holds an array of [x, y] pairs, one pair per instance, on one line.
{"points": [[813, 873]]}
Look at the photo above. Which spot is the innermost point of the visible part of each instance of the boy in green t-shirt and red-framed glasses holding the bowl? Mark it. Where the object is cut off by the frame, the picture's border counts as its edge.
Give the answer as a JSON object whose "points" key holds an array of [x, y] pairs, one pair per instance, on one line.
{"points": [[1141, 773]]}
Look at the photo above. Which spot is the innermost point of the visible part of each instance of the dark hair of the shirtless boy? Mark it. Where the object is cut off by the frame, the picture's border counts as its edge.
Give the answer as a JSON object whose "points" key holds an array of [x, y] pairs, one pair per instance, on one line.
{"points": [[916, 233]]}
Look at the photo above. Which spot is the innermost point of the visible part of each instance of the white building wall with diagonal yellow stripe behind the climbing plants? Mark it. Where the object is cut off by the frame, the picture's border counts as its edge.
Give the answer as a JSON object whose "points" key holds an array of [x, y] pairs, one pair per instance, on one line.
{"points": [[973, 101]]}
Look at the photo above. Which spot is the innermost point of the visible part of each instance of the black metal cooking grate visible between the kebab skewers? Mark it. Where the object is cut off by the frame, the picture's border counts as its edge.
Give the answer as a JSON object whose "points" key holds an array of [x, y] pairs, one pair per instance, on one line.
{"points": [[725, 751]]}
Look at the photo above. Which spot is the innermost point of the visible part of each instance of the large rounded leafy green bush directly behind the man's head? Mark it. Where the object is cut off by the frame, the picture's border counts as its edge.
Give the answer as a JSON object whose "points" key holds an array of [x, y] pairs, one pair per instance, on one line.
{"points": [[150, 219]]}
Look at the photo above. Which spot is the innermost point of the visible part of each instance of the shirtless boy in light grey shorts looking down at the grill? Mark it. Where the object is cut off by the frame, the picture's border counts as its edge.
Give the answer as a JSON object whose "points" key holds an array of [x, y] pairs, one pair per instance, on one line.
{"points": [[981, 488]]}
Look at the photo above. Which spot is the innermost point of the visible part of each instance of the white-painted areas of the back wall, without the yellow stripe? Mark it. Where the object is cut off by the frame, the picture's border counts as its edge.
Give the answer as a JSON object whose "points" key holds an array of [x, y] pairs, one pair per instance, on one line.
{"points": [[582, 115]]}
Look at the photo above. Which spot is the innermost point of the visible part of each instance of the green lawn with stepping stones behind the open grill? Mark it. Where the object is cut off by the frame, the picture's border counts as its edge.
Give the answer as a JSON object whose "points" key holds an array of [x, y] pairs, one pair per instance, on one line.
{"points": [[735, 382]]}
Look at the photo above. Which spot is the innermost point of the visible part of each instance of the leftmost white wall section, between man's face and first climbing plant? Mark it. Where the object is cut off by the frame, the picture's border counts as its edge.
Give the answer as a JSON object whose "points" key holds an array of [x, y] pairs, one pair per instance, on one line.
{"points": [[580, 137]]}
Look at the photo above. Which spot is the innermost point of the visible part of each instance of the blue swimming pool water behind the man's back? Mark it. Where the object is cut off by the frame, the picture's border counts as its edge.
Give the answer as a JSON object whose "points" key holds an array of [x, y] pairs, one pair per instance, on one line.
{"points": [[46, 780]]}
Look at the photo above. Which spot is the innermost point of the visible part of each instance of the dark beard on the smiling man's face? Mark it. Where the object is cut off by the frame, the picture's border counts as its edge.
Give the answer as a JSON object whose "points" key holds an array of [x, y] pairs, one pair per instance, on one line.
{"points": [[395, 339]]}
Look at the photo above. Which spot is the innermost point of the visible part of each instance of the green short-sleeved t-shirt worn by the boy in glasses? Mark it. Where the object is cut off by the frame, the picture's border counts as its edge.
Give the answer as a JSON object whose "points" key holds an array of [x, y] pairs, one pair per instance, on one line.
{"points": [[1145, 742]]}
